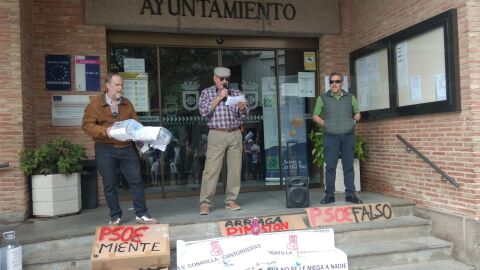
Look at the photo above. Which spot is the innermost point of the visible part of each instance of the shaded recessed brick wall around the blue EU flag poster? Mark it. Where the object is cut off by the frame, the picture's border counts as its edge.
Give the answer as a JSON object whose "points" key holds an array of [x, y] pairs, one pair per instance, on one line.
{"points": [[60, 29]]}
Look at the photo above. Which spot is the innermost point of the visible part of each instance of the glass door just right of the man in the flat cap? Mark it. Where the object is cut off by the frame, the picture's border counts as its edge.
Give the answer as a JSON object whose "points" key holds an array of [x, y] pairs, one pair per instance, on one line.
{"points": [[252, 72]]}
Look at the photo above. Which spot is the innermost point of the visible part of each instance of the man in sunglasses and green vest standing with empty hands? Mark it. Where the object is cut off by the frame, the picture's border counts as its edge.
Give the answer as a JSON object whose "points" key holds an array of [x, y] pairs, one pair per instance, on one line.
{"points": [[337, 112]]}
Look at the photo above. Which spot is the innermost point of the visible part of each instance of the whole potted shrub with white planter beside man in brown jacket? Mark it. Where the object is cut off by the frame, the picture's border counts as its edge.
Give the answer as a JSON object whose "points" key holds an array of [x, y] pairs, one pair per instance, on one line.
{"points": [[55, 170]]}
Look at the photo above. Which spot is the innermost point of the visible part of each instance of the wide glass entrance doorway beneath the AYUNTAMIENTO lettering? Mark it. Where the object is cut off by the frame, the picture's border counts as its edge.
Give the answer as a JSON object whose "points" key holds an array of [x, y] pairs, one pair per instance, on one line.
{"points": [[278, 85]]}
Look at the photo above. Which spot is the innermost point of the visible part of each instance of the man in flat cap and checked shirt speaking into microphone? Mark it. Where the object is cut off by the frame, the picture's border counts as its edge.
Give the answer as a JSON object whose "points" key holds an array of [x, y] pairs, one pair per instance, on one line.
{"points": [[224, 136]]}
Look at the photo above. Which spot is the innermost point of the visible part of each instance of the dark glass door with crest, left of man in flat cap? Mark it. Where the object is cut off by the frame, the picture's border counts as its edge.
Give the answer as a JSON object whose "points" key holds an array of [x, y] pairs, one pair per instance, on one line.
{"points": [[184, 73]]}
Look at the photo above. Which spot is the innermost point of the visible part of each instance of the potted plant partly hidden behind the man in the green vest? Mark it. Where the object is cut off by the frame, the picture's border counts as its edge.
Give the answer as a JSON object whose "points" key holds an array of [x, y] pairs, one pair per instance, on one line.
{"points": [[316, 136]]}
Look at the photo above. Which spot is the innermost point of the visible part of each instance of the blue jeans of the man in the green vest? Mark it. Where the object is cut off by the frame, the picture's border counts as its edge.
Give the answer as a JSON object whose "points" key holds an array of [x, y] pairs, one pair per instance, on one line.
{"points": [[334, 146]]}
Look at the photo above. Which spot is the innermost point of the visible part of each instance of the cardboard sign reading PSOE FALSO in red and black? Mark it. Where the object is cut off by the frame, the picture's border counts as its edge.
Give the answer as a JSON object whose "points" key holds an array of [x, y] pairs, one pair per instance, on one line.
{"points": [[325, 216]]}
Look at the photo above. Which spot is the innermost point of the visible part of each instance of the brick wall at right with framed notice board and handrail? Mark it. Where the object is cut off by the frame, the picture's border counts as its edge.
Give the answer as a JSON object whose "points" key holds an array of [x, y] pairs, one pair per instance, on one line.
{"points": [[451, 140]]}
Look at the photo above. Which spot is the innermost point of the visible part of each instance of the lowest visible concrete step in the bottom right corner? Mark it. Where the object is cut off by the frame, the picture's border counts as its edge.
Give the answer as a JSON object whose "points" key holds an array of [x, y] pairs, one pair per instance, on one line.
{"points": [[433, 265]]}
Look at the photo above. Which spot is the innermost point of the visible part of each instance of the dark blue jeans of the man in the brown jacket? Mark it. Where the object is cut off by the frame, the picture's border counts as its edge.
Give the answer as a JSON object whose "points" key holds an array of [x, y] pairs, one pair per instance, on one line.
{"points": [[109, 161]]}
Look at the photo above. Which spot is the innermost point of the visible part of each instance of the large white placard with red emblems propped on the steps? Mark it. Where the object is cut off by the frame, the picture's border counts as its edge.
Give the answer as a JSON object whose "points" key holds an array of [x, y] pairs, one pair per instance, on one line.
{"points": [[309, 249]]}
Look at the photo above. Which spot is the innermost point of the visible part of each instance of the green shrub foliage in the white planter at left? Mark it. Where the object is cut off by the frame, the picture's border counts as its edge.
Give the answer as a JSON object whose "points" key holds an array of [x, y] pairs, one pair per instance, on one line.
{"points": [[58, 157]]}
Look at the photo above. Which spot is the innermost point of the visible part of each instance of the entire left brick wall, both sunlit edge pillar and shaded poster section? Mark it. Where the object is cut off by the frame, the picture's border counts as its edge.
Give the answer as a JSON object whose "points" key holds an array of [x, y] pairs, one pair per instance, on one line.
{"points": [[36, 28]]}
